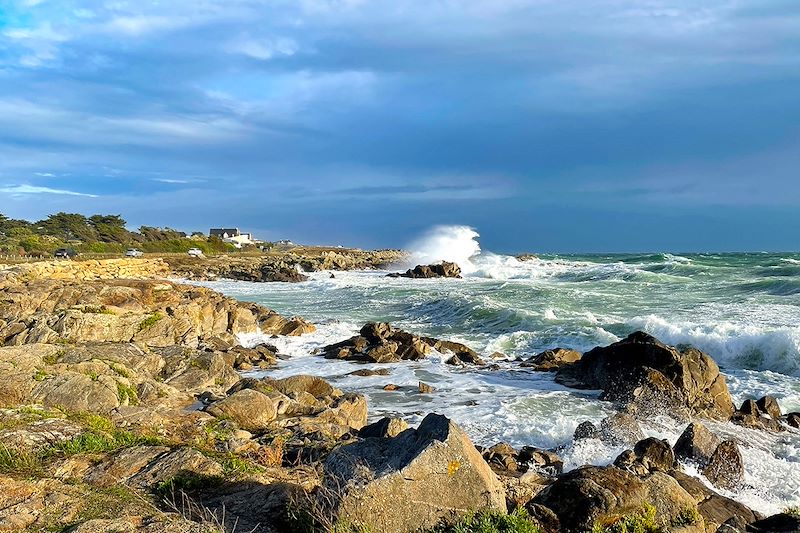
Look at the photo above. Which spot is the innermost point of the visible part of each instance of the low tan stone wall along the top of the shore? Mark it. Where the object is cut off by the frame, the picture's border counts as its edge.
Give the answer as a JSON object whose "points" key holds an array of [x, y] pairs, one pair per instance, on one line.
{"points": [[90, 270]]}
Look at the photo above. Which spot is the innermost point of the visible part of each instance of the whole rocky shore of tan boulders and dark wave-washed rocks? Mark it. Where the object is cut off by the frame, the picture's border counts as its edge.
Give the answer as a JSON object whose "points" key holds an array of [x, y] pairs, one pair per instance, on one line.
{"points": [[123, 409]]}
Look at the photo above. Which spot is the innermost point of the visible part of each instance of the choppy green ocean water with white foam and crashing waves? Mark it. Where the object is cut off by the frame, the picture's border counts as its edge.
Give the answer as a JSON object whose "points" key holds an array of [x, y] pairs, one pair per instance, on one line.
{"points": [[742, 309]]}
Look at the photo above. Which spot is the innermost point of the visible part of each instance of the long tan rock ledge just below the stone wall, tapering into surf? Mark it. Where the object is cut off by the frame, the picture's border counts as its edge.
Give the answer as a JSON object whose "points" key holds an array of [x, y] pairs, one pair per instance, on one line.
{"points": [[148, 312]]}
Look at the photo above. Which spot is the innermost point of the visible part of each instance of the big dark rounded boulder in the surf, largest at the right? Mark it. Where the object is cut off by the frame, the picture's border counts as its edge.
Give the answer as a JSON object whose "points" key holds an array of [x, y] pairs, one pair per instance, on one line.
{"points": [[644, 373]]}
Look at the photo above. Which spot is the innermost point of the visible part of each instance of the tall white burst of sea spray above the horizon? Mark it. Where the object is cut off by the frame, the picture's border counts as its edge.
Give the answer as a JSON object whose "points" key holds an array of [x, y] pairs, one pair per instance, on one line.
{"points": [[457, 244]]}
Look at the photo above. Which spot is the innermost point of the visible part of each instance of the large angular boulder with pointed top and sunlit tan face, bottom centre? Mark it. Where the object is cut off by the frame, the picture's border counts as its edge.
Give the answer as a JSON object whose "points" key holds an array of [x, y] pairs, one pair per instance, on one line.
{"points": [[411, 482]]}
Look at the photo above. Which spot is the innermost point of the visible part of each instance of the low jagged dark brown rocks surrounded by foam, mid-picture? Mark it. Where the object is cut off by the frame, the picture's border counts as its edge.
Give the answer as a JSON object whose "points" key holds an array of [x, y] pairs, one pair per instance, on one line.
{"points": [[381, 343]]}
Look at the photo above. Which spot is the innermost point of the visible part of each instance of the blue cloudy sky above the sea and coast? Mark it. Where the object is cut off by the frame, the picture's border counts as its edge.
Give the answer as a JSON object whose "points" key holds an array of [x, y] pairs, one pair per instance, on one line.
{"points": [[547, 125]]}
